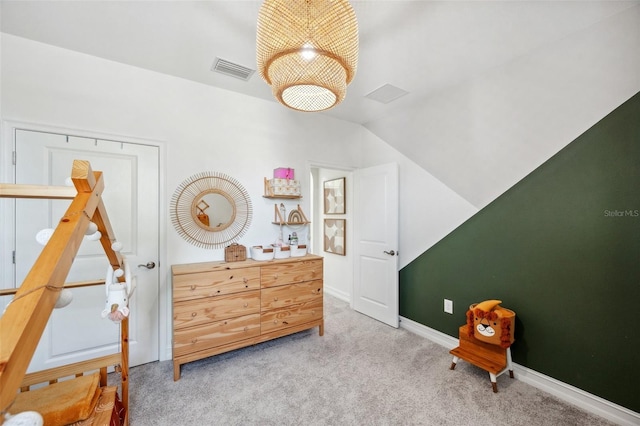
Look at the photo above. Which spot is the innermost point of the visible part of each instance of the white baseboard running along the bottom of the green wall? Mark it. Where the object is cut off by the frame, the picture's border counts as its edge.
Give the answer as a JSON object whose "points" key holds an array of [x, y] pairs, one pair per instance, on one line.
{"points": [[584, 400]]}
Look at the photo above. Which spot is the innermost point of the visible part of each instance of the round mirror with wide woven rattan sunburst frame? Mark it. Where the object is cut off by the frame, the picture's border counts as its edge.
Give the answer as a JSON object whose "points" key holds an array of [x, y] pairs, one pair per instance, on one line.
{"points": [[211, 210]]}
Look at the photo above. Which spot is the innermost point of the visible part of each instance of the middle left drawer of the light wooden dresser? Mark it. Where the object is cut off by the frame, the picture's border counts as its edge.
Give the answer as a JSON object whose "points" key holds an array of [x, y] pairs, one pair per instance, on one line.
{"points": [[200, 311]]}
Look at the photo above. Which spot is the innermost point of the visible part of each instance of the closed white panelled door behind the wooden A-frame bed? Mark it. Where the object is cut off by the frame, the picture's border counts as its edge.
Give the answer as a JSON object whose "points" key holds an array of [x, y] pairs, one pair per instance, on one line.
{"points": [[131, 197]]}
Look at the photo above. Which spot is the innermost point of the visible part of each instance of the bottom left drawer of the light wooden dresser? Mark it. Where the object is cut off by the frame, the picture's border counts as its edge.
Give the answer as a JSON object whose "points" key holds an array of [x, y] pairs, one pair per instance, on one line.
{"points": [[193, 339]]}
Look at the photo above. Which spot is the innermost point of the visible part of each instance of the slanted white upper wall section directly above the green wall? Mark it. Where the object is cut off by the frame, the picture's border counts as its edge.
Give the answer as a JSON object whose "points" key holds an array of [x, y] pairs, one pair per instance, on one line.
{"points": [[482, 136]]}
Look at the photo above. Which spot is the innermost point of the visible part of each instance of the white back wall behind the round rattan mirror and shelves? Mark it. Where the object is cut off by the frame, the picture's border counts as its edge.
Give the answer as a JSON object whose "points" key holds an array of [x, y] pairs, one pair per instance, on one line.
{"points": [[199, 128]]}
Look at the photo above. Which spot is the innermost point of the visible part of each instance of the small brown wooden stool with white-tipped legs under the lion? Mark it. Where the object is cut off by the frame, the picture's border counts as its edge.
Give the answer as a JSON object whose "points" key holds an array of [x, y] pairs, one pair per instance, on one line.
{"points": [[494, 359]]}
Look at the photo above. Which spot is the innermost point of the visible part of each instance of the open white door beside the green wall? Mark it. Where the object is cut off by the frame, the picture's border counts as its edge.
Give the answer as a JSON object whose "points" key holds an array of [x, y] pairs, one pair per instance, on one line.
{"points": [[375, 287]]}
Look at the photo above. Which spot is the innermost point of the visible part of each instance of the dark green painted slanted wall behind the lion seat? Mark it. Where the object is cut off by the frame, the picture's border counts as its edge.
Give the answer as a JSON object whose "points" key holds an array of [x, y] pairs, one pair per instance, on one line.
{"points": [[562, 249]]}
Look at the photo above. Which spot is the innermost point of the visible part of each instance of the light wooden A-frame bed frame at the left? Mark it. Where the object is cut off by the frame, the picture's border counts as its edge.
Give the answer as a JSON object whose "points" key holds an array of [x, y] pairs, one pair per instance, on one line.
{"points": [[26, 316]]}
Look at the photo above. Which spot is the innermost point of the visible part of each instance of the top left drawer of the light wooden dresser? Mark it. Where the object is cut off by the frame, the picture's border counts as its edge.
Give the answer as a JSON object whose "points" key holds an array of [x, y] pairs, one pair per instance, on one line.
{"points": [[215, 283]]}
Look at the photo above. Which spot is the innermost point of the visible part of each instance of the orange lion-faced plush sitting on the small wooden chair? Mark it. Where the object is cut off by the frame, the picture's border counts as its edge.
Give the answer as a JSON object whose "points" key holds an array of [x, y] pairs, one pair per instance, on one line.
{"points": [[491, 323]]}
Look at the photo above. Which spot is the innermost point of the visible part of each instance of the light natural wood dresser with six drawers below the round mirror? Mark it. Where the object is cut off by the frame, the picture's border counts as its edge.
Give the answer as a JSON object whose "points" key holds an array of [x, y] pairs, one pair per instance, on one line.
{"points": [[222, 306]]}
